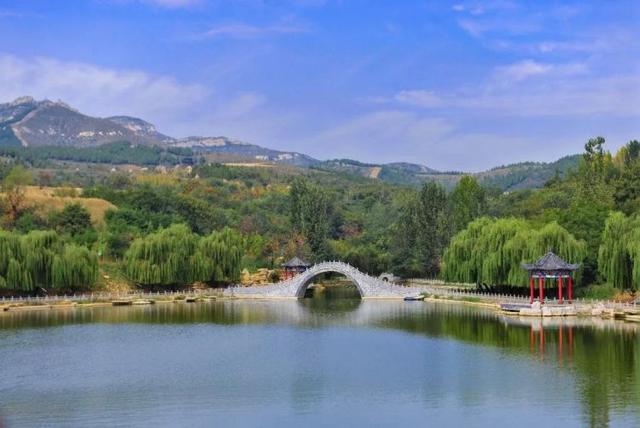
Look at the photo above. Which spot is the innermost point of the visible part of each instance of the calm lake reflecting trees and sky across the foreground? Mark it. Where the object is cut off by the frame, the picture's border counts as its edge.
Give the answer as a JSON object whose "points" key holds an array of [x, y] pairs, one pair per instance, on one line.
{"points": [[316, 362]]}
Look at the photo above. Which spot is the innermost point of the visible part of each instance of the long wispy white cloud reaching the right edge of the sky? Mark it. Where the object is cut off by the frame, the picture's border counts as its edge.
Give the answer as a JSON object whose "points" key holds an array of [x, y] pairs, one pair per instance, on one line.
{"points": [[530, 88]]}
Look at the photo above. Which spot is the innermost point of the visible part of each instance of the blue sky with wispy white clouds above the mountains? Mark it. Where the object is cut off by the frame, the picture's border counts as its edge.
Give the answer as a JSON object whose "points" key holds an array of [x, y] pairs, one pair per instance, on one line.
{"points": [[462, 85]]}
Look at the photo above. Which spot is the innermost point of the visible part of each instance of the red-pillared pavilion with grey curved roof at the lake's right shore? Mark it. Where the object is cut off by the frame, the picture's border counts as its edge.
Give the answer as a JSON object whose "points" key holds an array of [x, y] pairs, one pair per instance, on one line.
{"points": [[551, 266]]}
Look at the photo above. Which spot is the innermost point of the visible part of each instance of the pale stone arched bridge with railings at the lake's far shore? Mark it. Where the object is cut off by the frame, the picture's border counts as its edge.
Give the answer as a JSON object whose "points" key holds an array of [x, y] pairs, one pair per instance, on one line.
{"points": [[368, 286]]}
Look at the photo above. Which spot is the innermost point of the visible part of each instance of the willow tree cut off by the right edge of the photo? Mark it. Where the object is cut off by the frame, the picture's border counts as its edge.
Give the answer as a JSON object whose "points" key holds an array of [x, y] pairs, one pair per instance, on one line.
{"points": [[619, 255]]}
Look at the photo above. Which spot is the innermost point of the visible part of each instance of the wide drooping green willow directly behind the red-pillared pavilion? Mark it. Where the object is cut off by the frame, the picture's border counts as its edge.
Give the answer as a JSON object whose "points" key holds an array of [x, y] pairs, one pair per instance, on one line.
{"points": [[491, 251]]}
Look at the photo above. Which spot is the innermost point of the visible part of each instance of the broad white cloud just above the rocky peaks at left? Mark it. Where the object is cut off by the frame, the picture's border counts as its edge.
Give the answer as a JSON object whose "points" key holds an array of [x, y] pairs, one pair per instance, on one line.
{"points": [[97, 90]]}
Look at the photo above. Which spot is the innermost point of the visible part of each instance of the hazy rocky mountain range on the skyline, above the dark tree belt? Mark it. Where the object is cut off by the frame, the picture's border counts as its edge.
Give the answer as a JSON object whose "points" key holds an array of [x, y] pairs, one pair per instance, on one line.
{"points": [[30, 123]]}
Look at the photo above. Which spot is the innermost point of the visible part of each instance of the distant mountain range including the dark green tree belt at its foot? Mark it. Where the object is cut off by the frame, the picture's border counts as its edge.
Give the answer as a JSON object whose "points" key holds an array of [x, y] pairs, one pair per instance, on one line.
{"points": [[38, 131]]}
